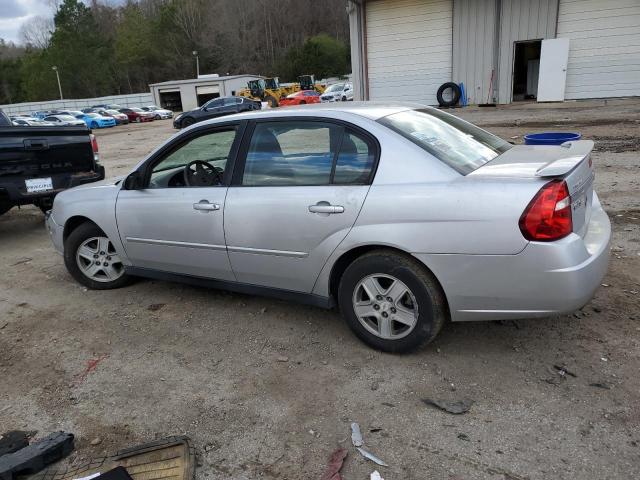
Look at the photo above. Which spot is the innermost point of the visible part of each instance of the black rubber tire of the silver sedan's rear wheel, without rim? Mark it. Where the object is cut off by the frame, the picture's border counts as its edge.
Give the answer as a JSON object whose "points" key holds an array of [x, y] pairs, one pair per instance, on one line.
{"points": [[430, 299]]}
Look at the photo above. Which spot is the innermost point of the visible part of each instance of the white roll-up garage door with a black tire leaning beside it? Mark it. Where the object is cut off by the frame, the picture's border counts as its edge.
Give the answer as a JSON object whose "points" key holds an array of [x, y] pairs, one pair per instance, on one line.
{"points": [[409, 48]]}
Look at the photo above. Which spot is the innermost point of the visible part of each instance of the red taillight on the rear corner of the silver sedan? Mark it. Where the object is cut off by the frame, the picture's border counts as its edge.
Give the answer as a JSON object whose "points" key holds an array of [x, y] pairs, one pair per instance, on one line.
{"points": [[548, 215]]}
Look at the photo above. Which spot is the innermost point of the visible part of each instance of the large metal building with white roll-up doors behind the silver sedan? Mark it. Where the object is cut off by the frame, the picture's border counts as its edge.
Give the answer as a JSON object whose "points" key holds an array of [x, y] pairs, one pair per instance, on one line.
{"points": [[502, 50]]}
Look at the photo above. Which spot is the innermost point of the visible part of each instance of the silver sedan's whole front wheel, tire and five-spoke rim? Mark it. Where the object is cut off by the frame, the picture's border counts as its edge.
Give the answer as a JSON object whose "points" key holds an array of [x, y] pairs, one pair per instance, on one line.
{"points": [[91, 258]]}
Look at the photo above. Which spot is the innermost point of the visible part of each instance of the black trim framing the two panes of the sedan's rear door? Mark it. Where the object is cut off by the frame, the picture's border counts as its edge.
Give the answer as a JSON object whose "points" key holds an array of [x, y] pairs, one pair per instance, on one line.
{"points": [[241, 158]]}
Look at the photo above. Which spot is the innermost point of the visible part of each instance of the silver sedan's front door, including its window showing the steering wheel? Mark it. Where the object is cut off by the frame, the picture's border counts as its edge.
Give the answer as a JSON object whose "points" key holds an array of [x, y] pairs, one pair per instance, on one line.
{"points": [[175, 222]]}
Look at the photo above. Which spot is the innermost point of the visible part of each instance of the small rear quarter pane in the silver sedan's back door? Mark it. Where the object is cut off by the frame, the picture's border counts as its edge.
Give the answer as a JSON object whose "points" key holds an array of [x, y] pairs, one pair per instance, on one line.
{"points": [[355, 160]]}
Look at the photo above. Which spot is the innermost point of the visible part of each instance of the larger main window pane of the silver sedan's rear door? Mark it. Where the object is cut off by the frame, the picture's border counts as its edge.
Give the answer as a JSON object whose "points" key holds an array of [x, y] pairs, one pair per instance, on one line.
{"points": [[291, 153]]}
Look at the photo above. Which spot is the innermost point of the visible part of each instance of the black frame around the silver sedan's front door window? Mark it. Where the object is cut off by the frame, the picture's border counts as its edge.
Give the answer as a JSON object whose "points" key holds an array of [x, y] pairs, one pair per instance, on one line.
{"points": [[146, 168]]}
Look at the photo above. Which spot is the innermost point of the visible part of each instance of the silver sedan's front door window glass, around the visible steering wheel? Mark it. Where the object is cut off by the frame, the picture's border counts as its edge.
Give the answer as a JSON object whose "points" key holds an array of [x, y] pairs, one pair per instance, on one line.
{"points": [[214, 148]]}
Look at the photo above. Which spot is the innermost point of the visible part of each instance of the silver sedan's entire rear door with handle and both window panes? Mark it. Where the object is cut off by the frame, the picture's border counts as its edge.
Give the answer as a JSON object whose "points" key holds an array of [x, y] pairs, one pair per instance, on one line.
{"points": [[296, 194]]}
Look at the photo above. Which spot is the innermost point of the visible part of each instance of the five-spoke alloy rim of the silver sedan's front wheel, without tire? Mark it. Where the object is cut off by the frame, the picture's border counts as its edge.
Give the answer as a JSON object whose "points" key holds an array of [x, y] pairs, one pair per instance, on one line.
{"points": [[97, 260]]}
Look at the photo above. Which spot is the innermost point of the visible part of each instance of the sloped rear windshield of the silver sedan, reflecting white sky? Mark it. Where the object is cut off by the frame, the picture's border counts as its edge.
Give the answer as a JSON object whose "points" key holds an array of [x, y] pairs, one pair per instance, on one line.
{"points": [[459, 144]]}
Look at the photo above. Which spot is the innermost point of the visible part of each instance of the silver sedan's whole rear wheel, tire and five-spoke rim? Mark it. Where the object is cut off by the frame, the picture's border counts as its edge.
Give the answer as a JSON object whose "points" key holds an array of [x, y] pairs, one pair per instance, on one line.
{"points": [[391, 301]]}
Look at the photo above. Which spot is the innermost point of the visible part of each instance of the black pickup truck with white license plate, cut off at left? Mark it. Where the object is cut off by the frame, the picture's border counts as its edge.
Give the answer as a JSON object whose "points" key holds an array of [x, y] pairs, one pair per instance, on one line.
{"points": [[36, 163]]}
